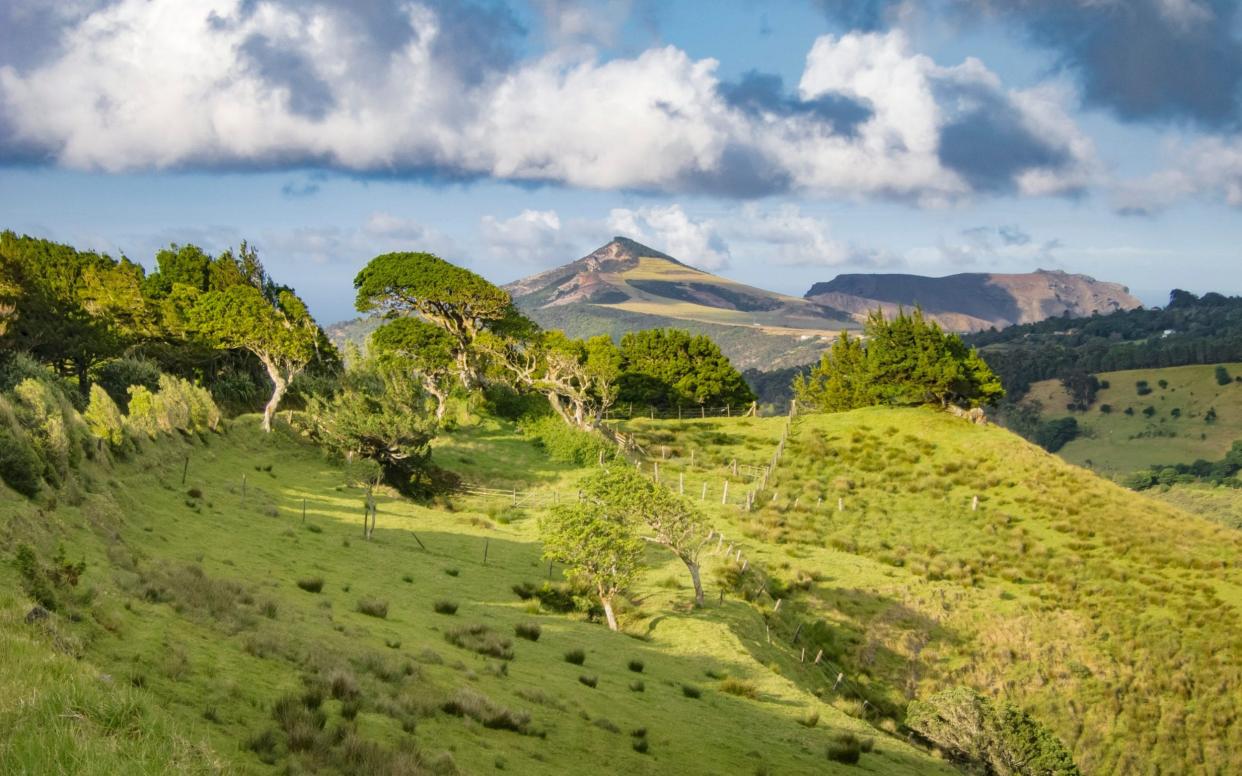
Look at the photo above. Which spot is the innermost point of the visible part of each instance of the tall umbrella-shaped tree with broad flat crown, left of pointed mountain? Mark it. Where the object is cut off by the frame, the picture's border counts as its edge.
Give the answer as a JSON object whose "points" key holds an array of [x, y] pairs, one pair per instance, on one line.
{"points": [[456, 300]]}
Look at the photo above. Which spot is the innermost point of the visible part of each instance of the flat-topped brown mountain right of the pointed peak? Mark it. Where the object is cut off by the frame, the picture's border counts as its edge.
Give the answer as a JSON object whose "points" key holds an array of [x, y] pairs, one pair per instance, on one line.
{"points": [[974, 301]]}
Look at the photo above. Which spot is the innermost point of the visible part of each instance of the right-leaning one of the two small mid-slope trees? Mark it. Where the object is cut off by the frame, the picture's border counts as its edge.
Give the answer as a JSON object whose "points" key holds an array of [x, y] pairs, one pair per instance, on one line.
{"points": [[665, 518]]}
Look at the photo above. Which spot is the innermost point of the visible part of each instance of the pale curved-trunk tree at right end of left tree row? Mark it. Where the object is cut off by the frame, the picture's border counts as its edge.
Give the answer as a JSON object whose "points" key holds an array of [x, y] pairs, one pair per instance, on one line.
{"points": [[283, 336]]}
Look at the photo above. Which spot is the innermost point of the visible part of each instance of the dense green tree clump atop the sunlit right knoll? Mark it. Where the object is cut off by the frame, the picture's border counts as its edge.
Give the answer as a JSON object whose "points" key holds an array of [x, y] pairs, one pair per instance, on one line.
{"points": [[906, 362]]}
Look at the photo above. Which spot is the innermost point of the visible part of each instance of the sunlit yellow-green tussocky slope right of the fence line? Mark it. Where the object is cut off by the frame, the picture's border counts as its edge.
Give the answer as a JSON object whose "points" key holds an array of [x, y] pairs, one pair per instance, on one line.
{"points": [[1112, 616]]}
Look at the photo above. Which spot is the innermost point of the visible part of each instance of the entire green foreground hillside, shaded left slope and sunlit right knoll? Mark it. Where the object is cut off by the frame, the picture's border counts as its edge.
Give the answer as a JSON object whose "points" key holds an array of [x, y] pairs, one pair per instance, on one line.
{"points": [[1106, 614]]}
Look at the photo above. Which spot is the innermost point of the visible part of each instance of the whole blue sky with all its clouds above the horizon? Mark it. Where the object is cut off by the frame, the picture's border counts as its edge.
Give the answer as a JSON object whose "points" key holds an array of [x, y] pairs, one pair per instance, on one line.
{"points": [[777, 143]]}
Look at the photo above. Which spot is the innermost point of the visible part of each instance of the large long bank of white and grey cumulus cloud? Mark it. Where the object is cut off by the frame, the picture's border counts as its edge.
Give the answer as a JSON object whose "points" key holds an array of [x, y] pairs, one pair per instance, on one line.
{"points": [[415, 89]]}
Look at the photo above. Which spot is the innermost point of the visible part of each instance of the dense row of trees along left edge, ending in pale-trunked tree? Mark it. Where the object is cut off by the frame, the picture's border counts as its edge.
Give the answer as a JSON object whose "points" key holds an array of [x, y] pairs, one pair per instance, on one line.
{"points": [[196, 316]]}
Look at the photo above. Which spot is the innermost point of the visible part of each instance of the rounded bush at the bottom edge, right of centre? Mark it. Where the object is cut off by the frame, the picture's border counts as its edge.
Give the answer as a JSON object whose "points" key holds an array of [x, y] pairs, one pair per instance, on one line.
{"points": [[1003, 739]]}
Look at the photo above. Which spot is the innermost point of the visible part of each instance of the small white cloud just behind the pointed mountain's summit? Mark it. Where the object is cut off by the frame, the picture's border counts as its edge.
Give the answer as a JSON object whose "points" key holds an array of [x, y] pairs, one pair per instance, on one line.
{"points": [[696, 243]]}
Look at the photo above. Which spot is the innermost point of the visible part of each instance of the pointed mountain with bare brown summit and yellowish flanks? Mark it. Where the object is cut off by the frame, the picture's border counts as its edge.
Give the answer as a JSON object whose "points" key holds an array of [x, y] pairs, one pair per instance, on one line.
{"points": [[627, 286]]}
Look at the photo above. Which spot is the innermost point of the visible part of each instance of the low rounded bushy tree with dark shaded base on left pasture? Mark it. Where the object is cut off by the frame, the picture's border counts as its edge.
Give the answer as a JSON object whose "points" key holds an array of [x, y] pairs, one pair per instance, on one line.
{"points": [[378, 417]]}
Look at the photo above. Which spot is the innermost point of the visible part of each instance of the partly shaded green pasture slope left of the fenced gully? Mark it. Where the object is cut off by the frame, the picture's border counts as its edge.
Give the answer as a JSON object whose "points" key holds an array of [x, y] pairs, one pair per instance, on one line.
{"points": [[194, 609]]}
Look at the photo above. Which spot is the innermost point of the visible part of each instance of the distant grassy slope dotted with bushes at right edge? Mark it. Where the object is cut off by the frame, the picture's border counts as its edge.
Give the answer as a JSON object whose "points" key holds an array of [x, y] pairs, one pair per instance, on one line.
{"points": [[1120, 444]]}
